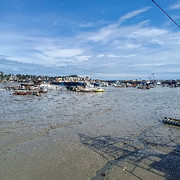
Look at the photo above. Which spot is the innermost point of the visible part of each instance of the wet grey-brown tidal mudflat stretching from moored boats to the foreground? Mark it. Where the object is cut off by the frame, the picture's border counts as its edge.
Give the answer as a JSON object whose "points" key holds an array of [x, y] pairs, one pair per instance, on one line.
{"points": [[67, 135]]}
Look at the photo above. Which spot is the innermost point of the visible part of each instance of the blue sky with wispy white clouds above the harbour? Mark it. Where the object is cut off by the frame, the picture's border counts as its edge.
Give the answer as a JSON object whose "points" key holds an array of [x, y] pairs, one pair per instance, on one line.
{"points": [[104, 39]]}
